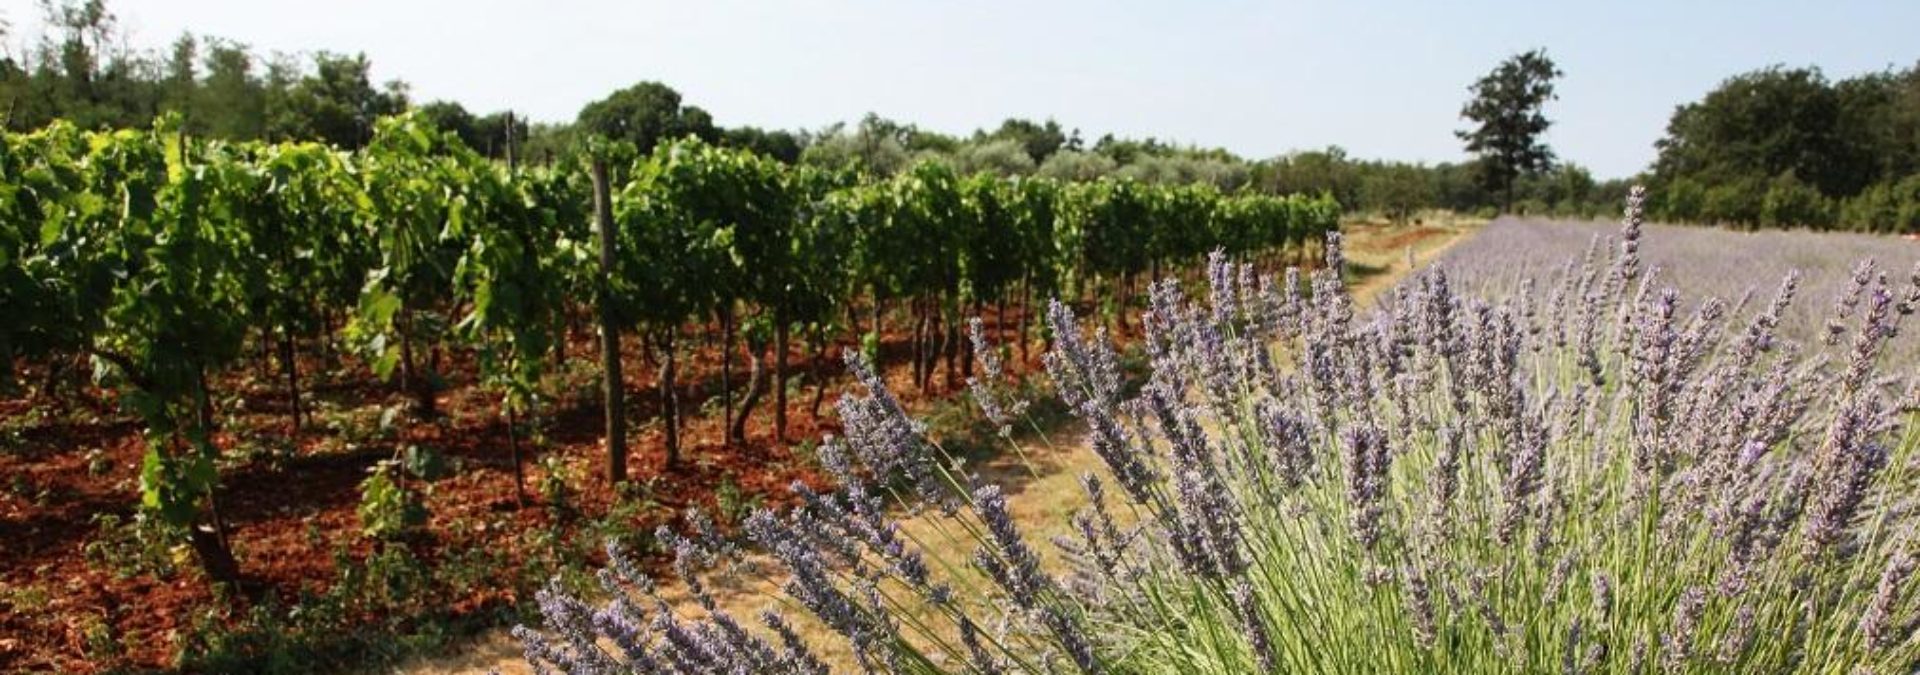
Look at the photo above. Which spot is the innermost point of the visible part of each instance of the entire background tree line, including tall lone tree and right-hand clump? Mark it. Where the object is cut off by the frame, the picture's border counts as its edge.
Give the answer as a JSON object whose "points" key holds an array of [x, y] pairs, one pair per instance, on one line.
{"points": [[1769, 149]]}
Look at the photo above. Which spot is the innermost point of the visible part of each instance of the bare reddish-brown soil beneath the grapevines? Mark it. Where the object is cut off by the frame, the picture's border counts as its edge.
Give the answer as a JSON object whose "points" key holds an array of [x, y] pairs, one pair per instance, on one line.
{"points": [[289, 517]]}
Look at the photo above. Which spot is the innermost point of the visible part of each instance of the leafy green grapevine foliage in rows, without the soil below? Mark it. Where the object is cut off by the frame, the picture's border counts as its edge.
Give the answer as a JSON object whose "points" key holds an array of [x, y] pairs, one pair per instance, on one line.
{"points": [[158, 256]]}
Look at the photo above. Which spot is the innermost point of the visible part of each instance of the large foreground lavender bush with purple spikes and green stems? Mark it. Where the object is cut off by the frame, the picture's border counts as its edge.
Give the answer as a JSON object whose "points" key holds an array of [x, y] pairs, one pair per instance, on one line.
{"points": [[1616, 478]]}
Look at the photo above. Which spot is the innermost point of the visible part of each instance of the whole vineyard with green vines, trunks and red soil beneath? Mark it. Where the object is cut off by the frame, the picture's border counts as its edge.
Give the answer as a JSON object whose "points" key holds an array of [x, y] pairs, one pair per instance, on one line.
{"points": [[191, 325]]}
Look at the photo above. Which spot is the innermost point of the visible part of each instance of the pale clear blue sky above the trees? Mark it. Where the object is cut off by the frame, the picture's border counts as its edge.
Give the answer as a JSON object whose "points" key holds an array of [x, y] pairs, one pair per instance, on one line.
{"points": [[1383, 80]]}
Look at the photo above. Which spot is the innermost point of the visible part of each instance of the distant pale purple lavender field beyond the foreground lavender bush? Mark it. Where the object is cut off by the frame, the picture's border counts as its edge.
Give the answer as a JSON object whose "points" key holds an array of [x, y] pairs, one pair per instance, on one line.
{"points": [[1700, 262]]}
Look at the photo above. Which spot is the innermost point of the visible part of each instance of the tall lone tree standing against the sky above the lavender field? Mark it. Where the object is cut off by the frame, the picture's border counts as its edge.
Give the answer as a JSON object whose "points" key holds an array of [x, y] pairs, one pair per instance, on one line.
{"points": [[1508, 110]]}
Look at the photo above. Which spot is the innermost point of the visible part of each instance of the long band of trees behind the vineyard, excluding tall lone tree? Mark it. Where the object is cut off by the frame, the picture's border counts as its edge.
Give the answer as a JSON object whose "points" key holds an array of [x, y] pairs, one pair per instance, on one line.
{"points": [[84, 72]]}
